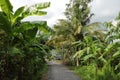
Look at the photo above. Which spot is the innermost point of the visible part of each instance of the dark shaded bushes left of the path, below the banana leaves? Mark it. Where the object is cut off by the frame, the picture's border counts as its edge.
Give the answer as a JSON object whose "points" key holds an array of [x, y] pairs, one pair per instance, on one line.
{"points": [[28, 65]]}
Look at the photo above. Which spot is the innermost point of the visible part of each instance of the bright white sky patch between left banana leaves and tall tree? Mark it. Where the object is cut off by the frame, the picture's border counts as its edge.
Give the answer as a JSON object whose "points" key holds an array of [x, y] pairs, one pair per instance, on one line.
{"points": [[55, 11]]}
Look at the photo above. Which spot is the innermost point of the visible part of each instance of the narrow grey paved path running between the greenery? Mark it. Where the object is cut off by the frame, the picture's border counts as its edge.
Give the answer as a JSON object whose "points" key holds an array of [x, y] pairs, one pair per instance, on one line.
{"points": [[59, 72]]}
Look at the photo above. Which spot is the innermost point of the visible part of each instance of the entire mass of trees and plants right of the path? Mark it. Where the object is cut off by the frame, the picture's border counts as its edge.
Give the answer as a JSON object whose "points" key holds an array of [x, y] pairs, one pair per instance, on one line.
{"points": [[93, 49]]}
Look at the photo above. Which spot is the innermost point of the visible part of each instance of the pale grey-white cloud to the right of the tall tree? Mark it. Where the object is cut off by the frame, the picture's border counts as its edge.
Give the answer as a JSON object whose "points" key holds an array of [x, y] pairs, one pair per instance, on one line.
{"points": [[105, 10]]}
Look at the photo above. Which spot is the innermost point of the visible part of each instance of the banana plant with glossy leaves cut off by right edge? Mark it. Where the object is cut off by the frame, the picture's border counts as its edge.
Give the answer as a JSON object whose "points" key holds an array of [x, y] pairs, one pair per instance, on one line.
{"points": [[111, 53]]}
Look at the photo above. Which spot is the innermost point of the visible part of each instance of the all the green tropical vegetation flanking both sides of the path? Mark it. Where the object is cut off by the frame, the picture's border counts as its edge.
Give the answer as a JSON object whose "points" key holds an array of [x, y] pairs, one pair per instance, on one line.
{"points": [[92, 49]]}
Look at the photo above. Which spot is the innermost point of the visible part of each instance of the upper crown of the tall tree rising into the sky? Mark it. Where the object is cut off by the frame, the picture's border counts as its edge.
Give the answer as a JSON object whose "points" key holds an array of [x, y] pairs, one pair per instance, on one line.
{"points": [[78, 12]]}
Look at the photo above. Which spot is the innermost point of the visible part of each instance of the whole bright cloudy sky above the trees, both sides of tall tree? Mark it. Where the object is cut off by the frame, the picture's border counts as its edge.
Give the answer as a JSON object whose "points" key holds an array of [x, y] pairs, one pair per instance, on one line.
{"points": [[104, 10]]}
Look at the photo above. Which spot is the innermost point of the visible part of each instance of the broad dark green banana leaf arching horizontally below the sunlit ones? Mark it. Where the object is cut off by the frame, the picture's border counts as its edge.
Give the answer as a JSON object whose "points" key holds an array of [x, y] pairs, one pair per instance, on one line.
{"points": [[30, 29]]}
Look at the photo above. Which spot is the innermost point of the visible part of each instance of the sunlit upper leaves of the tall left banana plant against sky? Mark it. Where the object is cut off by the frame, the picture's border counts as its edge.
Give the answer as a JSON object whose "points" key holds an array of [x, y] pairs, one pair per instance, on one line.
{"points": [[9, 19]]}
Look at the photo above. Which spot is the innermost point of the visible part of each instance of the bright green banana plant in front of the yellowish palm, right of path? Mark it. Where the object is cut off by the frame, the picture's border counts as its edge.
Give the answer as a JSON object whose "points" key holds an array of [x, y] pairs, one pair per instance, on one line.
{"points": [[89, 49]]}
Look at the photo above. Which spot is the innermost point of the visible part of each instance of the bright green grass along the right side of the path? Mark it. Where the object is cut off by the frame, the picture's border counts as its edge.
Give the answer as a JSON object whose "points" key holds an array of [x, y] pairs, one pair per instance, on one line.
{"points": [[91, 73]]}
